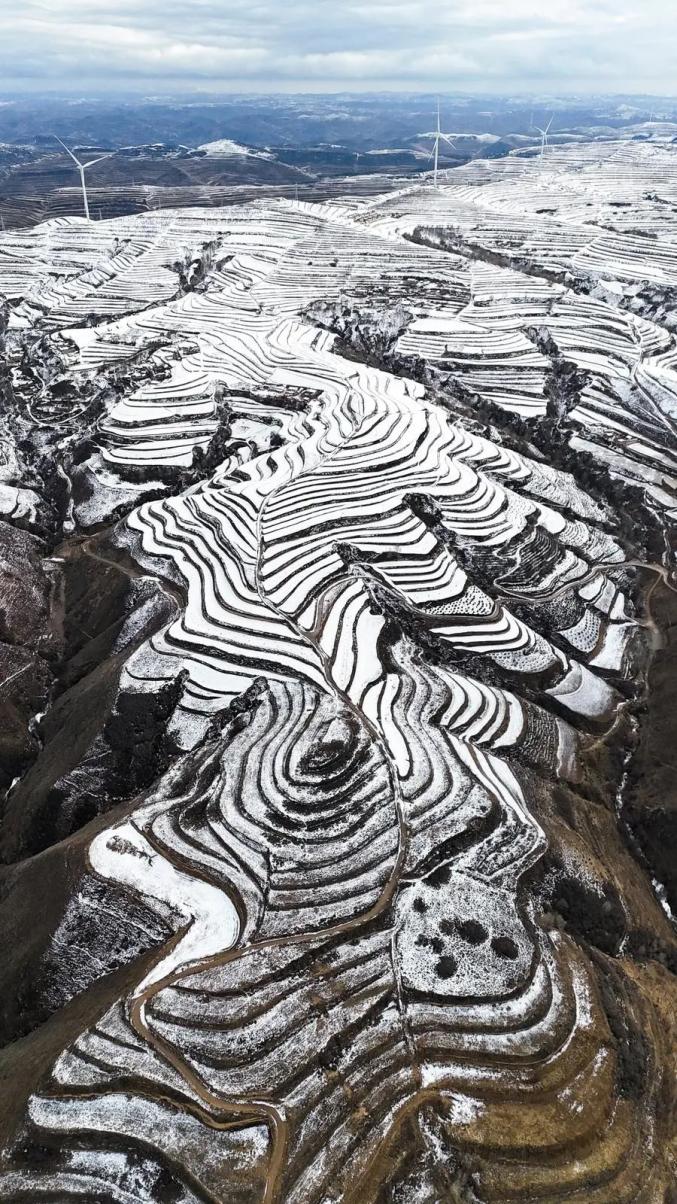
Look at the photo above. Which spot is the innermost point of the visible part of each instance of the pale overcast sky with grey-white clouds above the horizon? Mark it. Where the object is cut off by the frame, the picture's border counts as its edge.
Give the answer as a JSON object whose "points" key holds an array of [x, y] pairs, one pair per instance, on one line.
{"points": [[346, 45]]}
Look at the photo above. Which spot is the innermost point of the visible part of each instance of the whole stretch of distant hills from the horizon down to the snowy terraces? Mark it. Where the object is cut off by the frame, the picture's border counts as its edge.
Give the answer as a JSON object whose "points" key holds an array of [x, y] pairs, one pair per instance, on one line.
{"points": [[215, 151]]}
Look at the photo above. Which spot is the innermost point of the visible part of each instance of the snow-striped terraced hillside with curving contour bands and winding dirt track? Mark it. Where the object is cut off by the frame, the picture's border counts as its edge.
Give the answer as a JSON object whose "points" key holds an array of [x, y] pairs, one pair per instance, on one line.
{"points": [[399, 633]]}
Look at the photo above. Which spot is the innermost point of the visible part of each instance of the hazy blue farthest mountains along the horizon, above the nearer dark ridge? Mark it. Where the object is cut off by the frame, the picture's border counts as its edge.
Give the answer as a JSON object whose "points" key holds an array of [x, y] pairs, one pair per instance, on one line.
{"points": [[361, 122]]}
